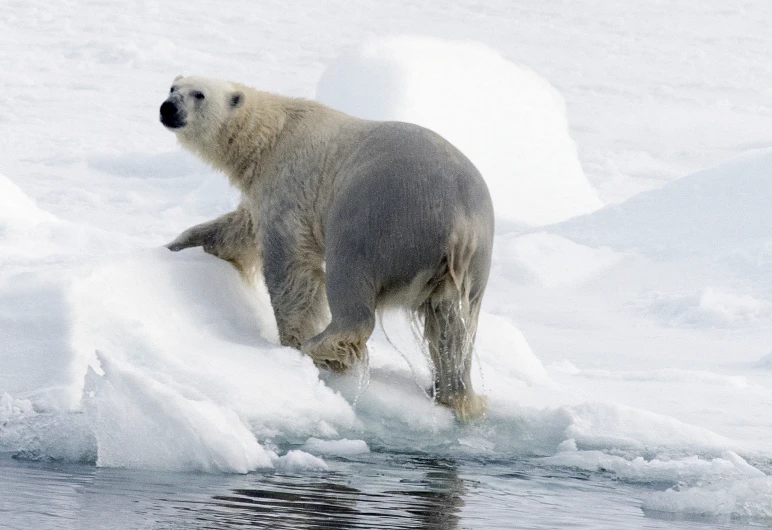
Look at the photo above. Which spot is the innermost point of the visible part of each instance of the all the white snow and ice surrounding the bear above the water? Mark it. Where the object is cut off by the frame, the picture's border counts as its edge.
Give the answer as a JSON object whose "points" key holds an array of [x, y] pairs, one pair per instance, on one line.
{"points": [[627, 326]]}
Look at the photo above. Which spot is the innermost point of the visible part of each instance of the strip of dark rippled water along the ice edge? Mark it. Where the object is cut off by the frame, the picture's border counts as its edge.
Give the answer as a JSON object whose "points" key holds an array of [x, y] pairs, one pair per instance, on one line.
{"points": [[372, 491]]}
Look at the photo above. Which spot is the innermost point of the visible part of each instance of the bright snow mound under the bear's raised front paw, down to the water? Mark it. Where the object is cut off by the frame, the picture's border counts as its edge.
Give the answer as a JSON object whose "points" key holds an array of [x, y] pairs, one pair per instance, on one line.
{"points": [[189, 344]]}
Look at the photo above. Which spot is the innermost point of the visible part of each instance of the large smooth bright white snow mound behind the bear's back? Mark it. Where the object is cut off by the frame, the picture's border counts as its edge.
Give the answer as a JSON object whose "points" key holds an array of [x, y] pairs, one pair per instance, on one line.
{"points": [[508, 120]]}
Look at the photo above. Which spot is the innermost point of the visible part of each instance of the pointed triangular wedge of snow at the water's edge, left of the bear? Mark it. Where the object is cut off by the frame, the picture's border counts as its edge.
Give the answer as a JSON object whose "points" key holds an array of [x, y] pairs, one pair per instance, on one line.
{"points": [[139, 421]]}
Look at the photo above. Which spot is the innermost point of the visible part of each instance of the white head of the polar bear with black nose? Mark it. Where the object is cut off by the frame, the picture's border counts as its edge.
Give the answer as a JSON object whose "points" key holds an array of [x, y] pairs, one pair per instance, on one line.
{"points": [[197, 107]]}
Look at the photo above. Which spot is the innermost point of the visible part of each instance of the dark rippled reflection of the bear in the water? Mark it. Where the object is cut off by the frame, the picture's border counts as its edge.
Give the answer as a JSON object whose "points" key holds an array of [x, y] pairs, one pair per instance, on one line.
{"points": [[430, 498]]}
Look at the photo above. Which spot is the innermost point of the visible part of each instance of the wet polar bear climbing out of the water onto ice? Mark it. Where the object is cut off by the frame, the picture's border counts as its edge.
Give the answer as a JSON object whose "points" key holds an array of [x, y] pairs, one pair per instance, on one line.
{"points": [[343, 217]]}
